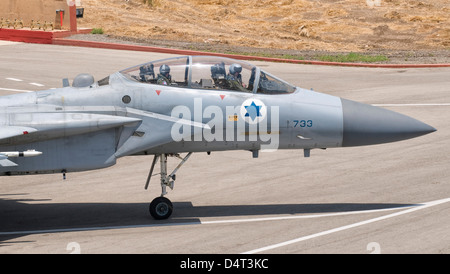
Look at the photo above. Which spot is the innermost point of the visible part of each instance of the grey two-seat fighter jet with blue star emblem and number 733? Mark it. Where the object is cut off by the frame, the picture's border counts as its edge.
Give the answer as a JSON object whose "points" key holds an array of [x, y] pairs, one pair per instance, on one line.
{"points": [[181, 105]]}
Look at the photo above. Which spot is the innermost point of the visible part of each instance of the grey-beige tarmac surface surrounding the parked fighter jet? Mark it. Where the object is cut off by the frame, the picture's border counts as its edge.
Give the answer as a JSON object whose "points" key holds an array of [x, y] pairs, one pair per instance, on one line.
{"points": [[391, 198]]}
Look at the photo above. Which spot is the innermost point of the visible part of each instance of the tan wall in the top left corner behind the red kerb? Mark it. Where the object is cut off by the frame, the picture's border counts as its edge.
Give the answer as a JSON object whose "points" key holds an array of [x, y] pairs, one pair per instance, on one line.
{"points": [[42, 10]]}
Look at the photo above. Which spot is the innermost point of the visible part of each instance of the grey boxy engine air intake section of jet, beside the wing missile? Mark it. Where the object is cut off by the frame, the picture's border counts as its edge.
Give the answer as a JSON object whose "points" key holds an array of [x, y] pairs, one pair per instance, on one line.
{"points": [[73, 138]]}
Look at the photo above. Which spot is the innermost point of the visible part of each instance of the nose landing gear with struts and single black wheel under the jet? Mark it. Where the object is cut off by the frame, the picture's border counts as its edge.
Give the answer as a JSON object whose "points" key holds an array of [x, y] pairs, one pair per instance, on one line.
{"points": [[161, 208]]}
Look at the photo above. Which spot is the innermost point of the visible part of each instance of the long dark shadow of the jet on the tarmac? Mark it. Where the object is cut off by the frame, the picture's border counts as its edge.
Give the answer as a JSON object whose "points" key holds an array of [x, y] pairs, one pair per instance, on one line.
{"points": [[32, 215]]}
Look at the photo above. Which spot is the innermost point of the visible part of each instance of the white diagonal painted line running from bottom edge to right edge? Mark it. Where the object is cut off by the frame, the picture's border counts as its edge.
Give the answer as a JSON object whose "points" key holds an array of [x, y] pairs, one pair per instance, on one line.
{"points": [[338, 229]]}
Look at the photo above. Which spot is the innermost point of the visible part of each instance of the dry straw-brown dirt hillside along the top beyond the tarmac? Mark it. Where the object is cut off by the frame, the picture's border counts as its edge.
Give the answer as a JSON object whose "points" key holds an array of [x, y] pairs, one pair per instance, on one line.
{"points": [[330, 25]]}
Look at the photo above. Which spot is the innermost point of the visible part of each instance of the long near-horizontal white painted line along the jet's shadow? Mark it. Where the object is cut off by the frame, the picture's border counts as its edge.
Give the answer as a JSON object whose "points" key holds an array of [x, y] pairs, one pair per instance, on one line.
{"points": [[202, 222]]}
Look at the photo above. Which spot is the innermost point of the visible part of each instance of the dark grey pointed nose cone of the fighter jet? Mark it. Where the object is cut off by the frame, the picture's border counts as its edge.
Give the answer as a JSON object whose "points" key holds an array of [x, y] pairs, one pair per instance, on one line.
{"points": [[369, 125]]}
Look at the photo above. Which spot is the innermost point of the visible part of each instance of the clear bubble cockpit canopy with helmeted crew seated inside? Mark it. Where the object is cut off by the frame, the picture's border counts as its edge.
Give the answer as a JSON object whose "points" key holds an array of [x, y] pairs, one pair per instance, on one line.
{"points": [[208, 72]]}
